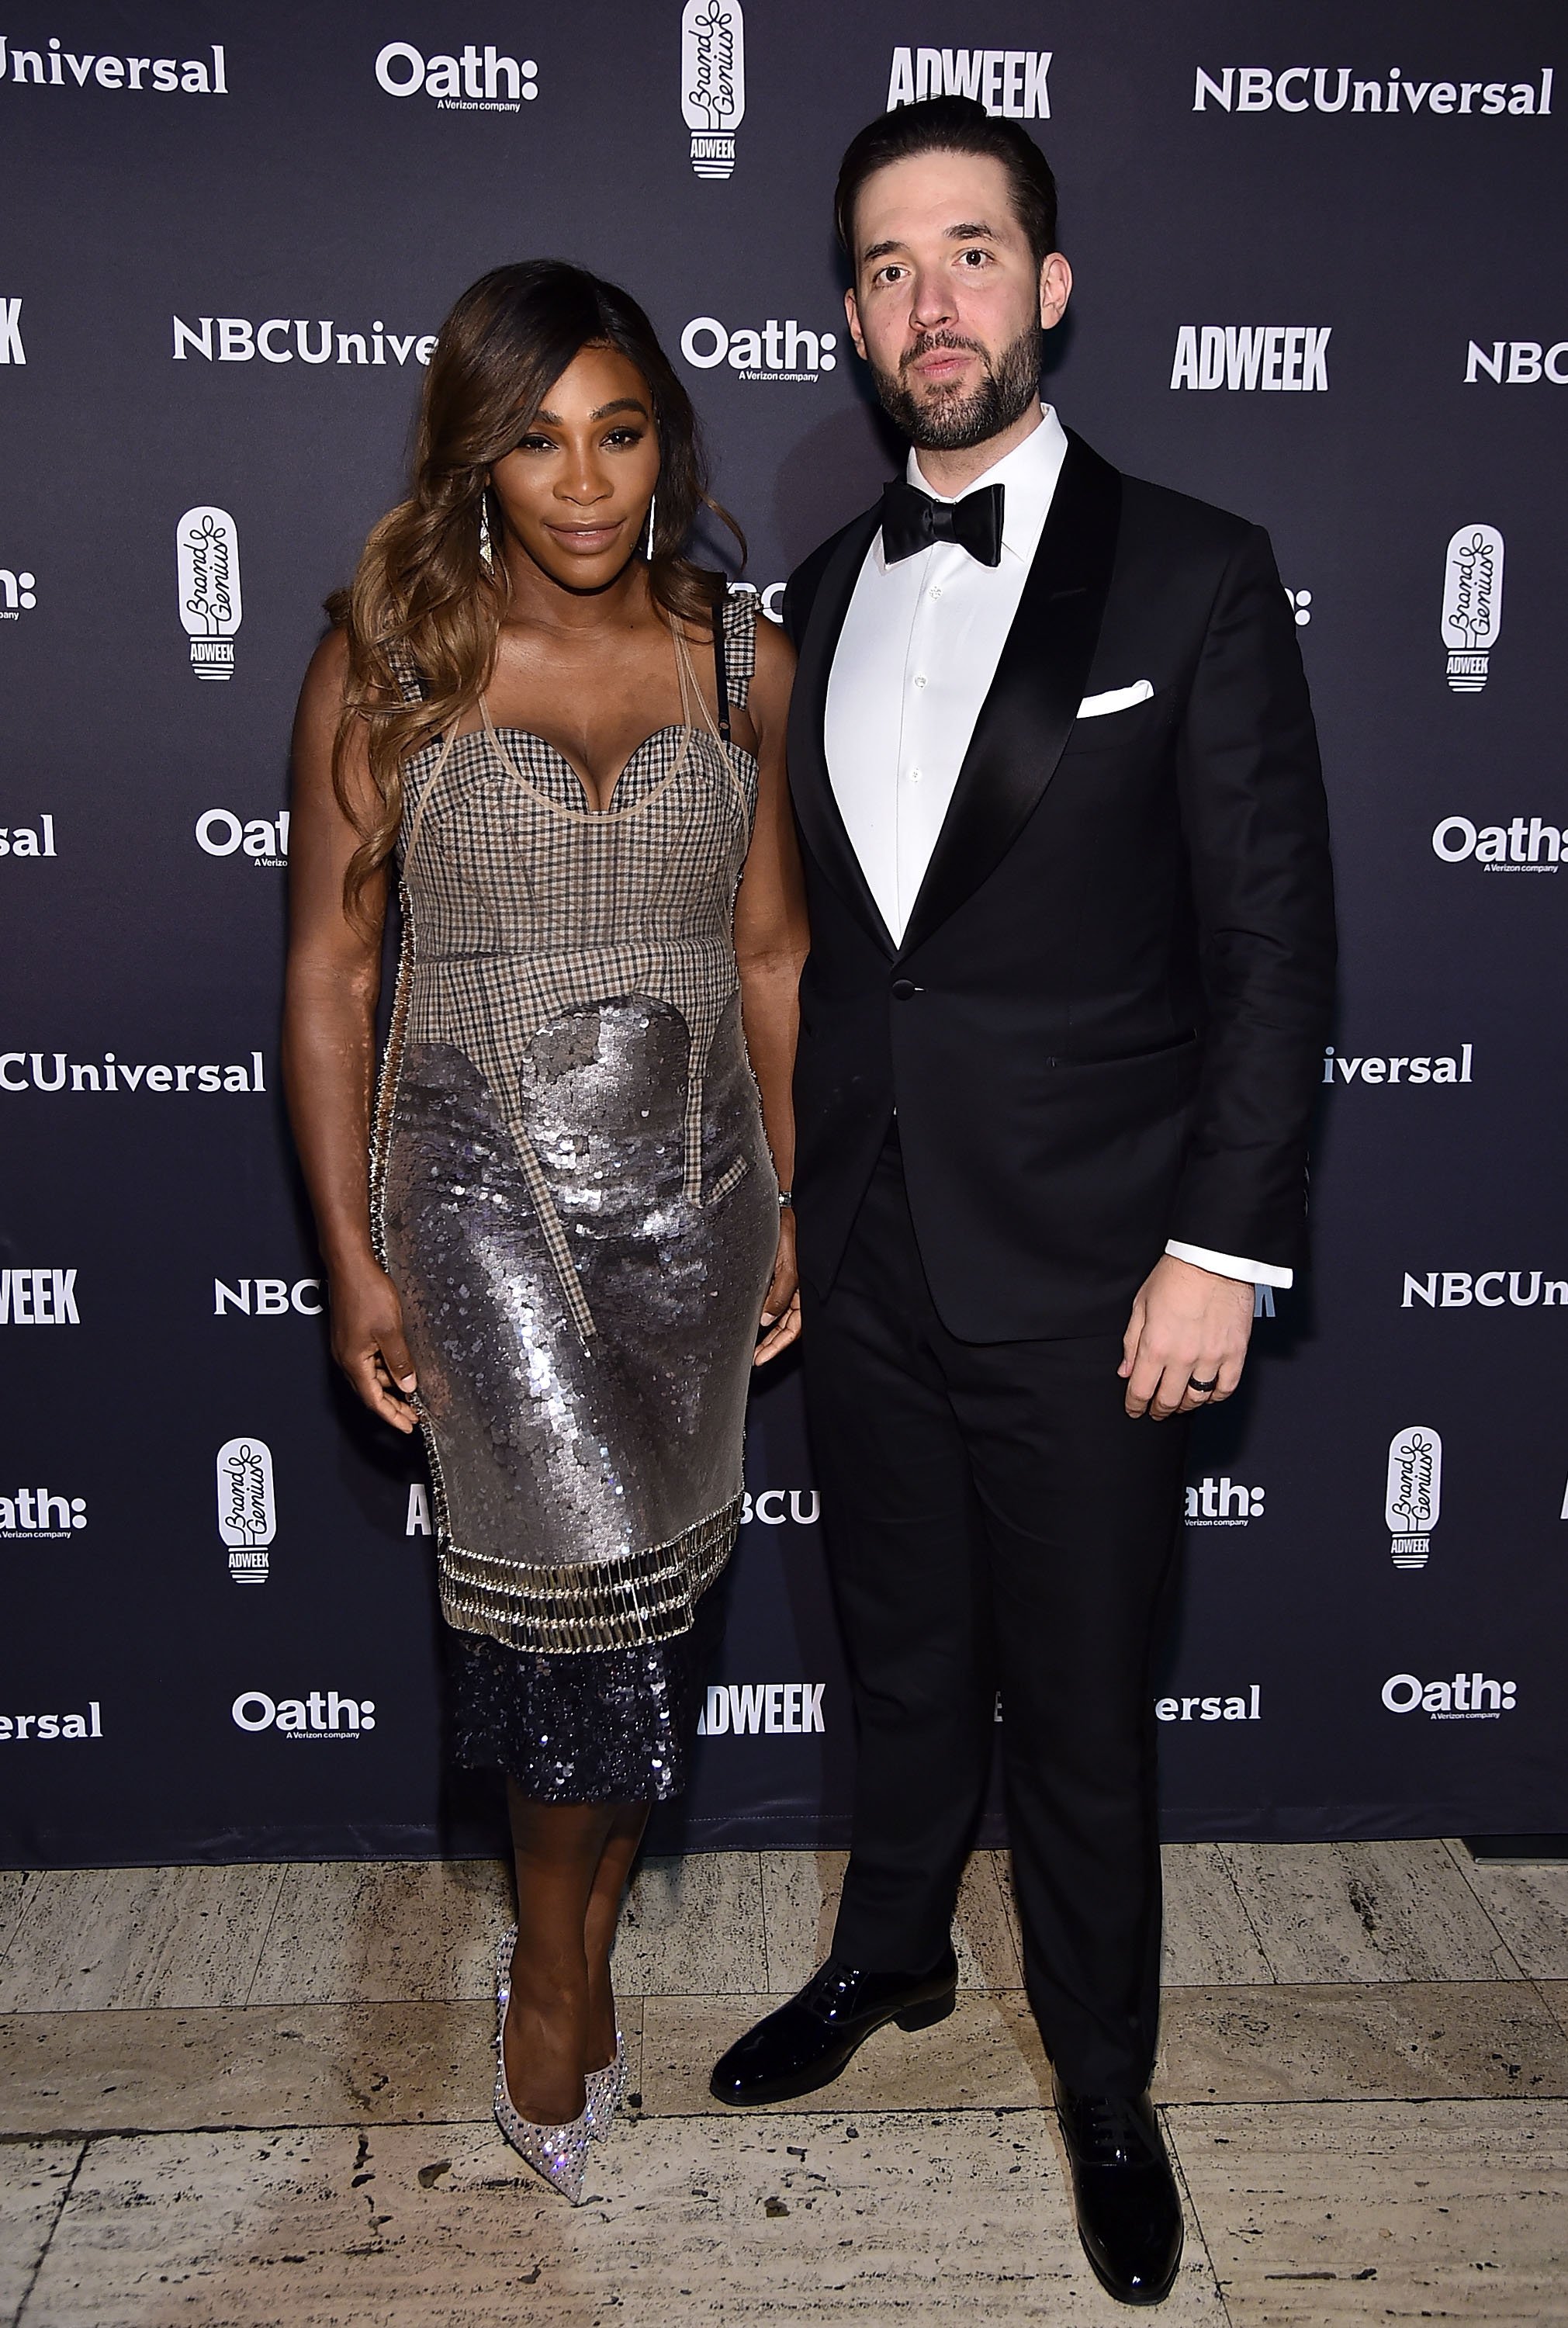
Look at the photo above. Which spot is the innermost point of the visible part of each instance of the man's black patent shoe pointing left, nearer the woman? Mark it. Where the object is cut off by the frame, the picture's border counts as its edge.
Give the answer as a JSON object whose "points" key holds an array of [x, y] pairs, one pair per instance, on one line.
{"points": [[820, 2031]]}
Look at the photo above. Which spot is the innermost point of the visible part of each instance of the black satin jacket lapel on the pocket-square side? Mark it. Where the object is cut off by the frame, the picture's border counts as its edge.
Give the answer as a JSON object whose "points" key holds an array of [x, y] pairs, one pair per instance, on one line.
{"points": [[1034, 697]]}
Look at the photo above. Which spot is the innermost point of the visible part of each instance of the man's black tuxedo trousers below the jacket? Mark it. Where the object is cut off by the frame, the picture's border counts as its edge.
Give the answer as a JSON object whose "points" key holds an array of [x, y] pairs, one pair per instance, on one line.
{"points": [[995, 1521]]}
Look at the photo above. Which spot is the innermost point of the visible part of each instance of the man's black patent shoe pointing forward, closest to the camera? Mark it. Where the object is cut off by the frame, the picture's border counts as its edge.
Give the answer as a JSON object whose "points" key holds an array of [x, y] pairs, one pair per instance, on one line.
{"points": [[1129, 2215]]}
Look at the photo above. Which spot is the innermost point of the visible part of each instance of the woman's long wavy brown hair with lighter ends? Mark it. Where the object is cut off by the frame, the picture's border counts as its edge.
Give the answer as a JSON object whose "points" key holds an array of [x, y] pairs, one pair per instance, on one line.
{"points": [[422, 606]]}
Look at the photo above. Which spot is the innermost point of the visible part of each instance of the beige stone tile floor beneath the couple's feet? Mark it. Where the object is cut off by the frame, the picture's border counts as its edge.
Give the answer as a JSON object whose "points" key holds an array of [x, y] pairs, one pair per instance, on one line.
{"points": [[257, 2099]]}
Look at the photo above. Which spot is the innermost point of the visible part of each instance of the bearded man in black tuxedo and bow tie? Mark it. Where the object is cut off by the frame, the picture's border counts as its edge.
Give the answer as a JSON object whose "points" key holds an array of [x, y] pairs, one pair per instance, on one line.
{"points": [[1062, 1028]]}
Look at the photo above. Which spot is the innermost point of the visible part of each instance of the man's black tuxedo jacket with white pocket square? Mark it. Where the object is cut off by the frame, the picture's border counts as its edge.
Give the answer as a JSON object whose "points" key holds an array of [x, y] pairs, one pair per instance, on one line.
{"points": [[1106, 1021]]}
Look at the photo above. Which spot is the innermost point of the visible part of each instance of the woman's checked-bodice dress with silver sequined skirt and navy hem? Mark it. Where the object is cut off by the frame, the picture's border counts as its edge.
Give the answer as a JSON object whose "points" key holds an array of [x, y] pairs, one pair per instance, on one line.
{"points": [[576, 1200]]}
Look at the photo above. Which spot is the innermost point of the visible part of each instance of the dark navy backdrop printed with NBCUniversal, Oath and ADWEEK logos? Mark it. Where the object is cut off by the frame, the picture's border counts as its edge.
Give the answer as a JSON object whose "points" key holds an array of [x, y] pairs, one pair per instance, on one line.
{"points": [[1320, 281]]}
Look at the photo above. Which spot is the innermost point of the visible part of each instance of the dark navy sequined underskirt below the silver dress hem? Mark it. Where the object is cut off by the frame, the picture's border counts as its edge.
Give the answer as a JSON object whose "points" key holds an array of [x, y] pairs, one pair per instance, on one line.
{"points": [[599, 1726]]}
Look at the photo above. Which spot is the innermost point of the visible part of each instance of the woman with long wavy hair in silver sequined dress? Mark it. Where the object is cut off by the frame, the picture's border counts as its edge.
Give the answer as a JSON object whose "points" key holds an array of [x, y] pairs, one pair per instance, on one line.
{"points": [[571, 741]]}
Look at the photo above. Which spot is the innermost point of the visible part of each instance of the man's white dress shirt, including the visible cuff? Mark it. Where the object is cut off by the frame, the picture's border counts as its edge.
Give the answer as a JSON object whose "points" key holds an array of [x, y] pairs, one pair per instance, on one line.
{"points": [[915, 662]]}
